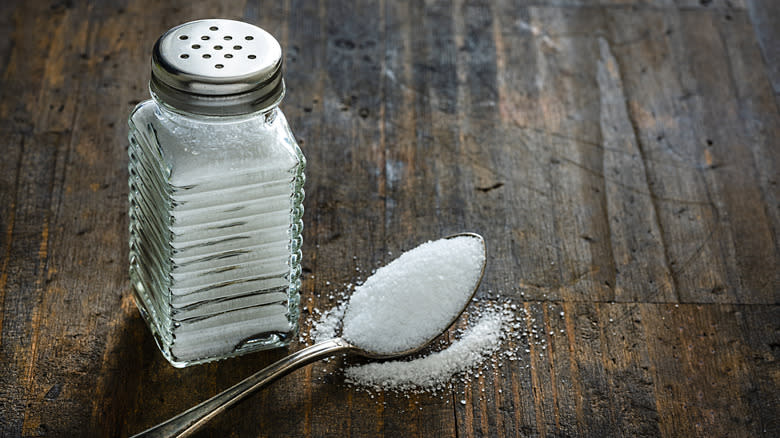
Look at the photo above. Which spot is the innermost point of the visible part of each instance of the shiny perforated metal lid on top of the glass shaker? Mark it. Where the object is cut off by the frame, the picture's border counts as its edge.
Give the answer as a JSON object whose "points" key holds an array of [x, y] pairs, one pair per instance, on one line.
{"points": [[217, 67]]}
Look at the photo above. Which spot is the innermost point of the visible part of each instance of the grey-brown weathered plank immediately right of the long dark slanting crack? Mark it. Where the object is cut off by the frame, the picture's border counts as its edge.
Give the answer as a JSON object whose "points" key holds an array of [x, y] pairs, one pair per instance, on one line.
{"points": [[659, 104]]}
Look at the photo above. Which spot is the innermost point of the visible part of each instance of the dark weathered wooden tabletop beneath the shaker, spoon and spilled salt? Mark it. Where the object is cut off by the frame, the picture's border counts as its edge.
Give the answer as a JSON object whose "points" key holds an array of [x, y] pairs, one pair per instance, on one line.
{"points": [[619, 156]]}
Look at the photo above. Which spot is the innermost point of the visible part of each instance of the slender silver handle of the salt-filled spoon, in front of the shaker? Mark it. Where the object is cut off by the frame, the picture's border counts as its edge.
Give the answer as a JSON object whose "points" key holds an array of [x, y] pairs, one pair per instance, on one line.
{"points": [[192, 419]]}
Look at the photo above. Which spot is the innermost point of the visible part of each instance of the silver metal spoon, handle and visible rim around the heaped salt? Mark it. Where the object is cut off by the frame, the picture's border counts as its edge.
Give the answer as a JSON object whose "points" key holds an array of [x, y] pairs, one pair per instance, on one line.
{"points": [[194, 418]]}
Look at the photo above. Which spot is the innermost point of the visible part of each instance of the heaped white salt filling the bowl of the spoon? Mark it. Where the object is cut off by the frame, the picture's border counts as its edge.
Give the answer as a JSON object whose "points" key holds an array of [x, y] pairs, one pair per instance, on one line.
{"points": [[413, 299]]}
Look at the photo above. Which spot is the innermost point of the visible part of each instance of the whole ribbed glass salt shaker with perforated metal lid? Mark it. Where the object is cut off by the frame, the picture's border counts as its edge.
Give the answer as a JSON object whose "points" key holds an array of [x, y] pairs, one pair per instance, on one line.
{"points": [[216, 195]]}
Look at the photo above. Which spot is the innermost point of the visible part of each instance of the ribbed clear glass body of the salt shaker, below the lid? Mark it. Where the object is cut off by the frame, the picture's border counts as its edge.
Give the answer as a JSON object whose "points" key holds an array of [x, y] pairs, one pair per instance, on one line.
{"points": [[216, 206]]}
